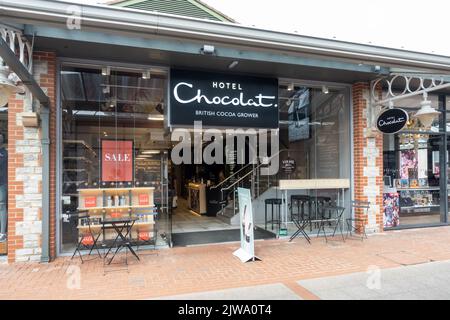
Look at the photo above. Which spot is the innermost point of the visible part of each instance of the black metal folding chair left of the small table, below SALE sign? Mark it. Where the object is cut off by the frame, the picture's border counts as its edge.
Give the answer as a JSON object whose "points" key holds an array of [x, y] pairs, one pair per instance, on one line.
{"points": [[87, 238]]}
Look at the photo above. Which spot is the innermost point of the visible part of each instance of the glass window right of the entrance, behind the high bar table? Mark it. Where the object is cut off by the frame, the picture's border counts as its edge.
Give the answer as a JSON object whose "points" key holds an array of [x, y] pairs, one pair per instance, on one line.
{"points": [[314, 144]]}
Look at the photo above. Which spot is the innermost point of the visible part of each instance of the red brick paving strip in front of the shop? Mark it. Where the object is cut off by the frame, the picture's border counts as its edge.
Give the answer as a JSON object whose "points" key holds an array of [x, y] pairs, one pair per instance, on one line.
{"points": [[213, 267]]}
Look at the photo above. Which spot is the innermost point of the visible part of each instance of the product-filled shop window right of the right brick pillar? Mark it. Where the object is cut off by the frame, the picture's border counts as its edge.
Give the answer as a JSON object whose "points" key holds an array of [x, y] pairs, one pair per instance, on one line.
{"points": [[412, 162]]}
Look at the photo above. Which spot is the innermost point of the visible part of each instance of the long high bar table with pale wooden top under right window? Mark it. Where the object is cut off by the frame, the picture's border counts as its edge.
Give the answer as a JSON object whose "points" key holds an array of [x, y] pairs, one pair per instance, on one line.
{"points": [[311, 184]]}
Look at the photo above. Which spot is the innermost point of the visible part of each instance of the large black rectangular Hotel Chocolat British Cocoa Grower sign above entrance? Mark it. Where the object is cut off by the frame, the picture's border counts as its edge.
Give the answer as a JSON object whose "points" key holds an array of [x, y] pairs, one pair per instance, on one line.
{"points": [[222, 100]]}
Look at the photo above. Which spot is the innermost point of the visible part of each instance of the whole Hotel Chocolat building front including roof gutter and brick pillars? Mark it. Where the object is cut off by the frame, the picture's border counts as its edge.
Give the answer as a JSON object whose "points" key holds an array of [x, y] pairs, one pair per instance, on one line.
{"points": [[120, 136]]}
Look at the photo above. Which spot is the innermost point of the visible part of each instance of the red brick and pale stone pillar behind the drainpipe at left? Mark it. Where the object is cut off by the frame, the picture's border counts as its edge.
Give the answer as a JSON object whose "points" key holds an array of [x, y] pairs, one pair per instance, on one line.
{"points": [[25, 169]]}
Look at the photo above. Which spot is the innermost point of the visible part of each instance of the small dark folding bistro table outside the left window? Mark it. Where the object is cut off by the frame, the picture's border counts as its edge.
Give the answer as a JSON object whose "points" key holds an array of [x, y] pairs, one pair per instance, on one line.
{"points": [[122, 227]]}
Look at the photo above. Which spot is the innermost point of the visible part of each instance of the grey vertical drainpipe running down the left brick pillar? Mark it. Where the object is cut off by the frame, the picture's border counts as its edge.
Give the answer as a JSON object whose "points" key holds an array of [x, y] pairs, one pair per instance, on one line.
{"points": [[45, 140]]}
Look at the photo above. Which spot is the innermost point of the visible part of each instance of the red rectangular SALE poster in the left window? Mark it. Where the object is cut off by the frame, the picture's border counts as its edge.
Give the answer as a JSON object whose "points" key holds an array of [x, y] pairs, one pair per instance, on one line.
{"points": [[117, 160]]}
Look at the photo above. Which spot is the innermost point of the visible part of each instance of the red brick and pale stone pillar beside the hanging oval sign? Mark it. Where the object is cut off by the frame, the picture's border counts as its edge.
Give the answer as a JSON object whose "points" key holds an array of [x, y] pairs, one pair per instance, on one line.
{"points": [[368, 160]]}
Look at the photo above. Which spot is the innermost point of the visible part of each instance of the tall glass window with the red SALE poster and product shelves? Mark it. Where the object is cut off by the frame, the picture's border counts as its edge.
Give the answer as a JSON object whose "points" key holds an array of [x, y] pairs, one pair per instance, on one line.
{"points": [[113, 150]]}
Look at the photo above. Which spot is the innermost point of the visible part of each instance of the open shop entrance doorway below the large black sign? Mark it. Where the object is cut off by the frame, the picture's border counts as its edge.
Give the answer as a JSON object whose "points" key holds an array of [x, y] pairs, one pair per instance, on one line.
{"points": [[200, 200]]}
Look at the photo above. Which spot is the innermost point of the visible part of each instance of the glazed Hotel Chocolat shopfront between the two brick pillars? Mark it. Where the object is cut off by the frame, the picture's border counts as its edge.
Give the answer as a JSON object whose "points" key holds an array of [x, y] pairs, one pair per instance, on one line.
{"points": [[116, 140]]}
